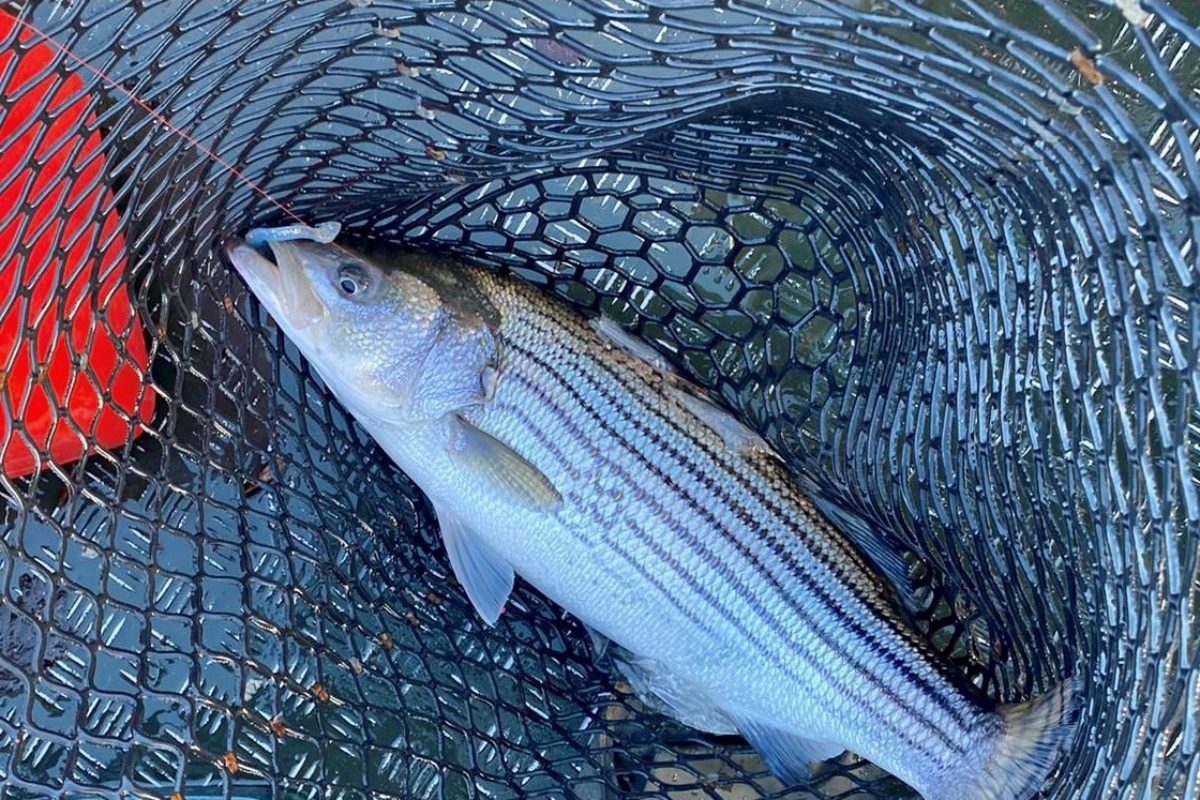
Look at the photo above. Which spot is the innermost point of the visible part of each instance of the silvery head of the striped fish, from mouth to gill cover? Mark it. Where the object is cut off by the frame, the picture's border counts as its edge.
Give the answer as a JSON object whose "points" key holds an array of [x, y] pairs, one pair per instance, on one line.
{"points": [[391, 342]]}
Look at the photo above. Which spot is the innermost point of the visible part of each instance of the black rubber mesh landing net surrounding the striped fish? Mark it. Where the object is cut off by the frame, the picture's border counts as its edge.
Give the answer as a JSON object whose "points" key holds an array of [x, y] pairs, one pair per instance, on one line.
{"points": [[943, 254]]}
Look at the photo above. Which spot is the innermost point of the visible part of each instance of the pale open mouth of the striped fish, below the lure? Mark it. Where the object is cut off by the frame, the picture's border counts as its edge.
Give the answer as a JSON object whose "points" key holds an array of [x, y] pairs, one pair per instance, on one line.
{"points": [[283, 285]]}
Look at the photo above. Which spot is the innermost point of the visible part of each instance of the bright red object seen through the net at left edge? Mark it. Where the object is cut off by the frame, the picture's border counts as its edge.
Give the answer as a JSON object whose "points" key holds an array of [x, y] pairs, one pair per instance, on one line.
{"points": [[73, 357]]}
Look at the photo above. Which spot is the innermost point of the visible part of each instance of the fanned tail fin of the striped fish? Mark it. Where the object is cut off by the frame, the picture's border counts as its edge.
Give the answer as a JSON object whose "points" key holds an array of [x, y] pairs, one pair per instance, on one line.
{"points": [[1033, 735]]}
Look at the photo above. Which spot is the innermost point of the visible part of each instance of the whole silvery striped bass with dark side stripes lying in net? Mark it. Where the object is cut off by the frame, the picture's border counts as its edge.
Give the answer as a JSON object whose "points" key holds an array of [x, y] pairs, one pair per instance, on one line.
{"points": [[551, 449]]}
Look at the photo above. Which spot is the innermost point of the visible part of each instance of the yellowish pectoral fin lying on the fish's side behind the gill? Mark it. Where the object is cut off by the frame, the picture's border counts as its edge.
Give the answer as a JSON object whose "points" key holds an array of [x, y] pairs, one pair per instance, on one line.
{"points": [[503, 470]]}
